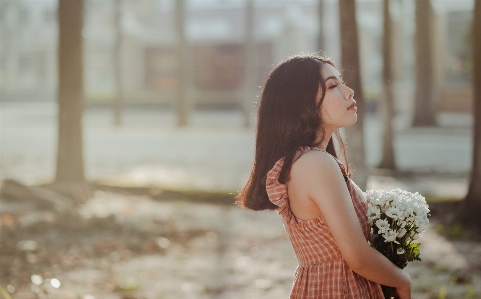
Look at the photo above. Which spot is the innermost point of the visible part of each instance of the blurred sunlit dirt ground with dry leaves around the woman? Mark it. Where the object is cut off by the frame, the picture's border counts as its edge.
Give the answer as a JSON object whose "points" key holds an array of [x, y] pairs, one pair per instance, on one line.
{"points": [[133, 246]]}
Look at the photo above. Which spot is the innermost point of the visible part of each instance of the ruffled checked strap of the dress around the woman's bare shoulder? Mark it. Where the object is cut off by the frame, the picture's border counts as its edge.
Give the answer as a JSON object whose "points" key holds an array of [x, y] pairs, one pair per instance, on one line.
{"points": [[277, 192]]}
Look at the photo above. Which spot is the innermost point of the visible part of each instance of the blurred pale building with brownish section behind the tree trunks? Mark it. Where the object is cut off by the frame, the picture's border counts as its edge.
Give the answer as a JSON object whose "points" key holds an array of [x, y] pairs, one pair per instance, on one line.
{"points": [[215, 33]]}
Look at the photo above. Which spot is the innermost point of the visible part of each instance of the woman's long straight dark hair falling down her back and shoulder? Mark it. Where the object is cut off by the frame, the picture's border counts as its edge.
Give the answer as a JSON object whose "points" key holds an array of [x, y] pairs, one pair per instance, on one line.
{"points": [[288, 118]]}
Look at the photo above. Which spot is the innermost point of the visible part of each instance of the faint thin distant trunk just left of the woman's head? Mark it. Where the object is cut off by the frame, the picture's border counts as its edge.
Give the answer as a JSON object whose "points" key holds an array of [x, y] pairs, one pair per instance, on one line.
{"points": [[250, 77]]}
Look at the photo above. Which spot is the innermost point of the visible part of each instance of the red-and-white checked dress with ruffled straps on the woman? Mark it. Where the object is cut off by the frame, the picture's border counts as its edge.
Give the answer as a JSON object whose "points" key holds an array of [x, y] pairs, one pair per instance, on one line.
{"points": [[322, 272]]}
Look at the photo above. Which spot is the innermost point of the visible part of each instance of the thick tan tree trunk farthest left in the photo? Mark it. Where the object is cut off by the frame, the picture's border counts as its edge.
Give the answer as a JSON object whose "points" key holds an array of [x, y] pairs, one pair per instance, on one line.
{"points": [[70, 162]]}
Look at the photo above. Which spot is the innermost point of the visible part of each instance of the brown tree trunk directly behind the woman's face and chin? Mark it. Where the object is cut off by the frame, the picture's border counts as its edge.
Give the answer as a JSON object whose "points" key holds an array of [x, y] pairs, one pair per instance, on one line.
{"points": [[350, 62]]}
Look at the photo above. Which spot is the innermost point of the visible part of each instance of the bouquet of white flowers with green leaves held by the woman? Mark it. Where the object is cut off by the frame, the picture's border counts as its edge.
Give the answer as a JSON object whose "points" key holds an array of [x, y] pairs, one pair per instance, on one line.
{"points": [[398, 219]]}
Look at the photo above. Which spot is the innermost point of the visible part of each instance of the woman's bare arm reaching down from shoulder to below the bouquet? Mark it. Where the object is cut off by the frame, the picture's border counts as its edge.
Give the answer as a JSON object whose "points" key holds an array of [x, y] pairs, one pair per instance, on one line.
{"points": [[317, 176]]}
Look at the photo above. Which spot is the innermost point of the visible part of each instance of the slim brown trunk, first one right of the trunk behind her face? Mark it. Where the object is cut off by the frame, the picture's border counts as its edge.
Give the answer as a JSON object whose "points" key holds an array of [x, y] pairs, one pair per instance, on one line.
{"points": [[387, 160]]}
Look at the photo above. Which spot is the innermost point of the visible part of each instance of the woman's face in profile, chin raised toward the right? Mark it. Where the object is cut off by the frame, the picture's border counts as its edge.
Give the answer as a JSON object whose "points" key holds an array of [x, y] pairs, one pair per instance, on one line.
{"points": [[338, 108]]}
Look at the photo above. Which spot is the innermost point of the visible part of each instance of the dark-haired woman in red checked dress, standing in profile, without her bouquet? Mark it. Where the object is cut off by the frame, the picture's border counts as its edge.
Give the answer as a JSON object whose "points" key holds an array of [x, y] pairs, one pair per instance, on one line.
{"points": [[297, 173]]}
